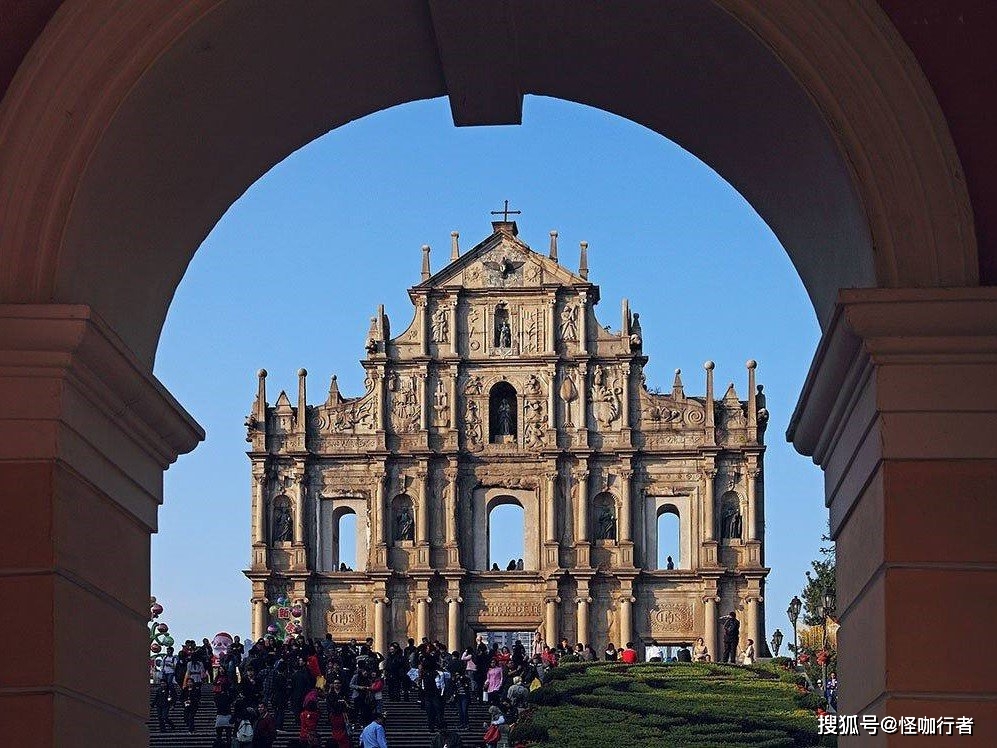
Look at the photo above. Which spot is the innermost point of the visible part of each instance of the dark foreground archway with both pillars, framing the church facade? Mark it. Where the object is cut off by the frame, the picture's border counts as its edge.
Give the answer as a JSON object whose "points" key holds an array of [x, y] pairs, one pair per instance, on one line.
{"points": [[127, 132]]}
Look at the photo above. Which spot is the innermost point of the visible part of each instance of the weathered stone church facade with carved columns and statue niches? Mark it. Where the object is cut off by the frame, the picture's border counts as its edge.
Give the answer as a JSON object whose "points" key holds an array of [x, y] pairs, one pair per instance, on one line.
{"points": [[505, 389]]}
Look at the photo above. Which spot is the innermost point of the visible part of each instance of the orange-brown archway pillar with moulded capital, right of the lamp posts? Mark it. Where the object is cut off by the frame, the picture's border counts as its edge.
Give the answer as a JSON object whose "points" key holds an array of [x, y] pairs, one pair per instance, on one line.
{"points": [[898, 409]]}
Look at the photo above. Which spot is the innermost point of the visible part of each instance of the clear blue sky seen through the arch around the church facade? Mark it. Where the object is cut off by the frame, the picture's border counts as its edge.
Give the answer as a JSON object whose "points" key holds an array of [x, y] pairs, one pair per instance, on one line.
{"points": [[291, 274]]}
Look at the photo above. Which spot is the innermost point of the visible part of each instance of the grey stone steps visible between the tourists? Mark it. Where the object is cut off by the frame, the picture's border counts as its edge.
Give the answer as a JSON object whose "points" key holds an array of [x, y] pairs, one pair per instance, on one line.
{"points": [[405, 725]]}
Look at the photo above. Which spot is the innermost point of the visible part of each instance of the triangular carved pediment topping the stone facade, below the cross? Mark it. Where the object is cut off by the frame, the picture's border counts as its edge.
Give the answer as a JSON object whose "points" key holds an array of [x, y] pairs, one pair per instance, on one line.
{"points": [[502, 261]]}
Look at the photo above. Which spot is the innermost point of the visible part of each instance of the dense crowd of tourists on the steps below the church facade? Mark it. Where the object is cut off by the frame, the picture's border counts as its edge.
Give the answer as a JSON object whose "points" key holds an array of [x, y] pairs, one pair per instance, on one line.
{"points": [[253, 689]]}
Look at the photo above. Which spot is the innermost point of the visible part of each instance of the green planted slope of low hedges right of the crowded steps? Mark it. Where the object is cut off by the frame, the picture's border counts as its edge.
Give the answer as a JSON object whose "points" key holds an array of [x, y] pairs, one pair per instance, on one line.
{"points": [[600, 705]]}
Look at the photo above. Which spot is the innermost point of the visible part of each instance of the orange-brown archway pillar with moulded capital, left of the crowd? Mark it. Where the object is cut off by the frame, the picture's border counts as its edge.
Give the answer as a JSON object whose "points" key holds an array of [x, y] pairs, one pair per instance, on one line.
{"points": [[85, 436]]}
